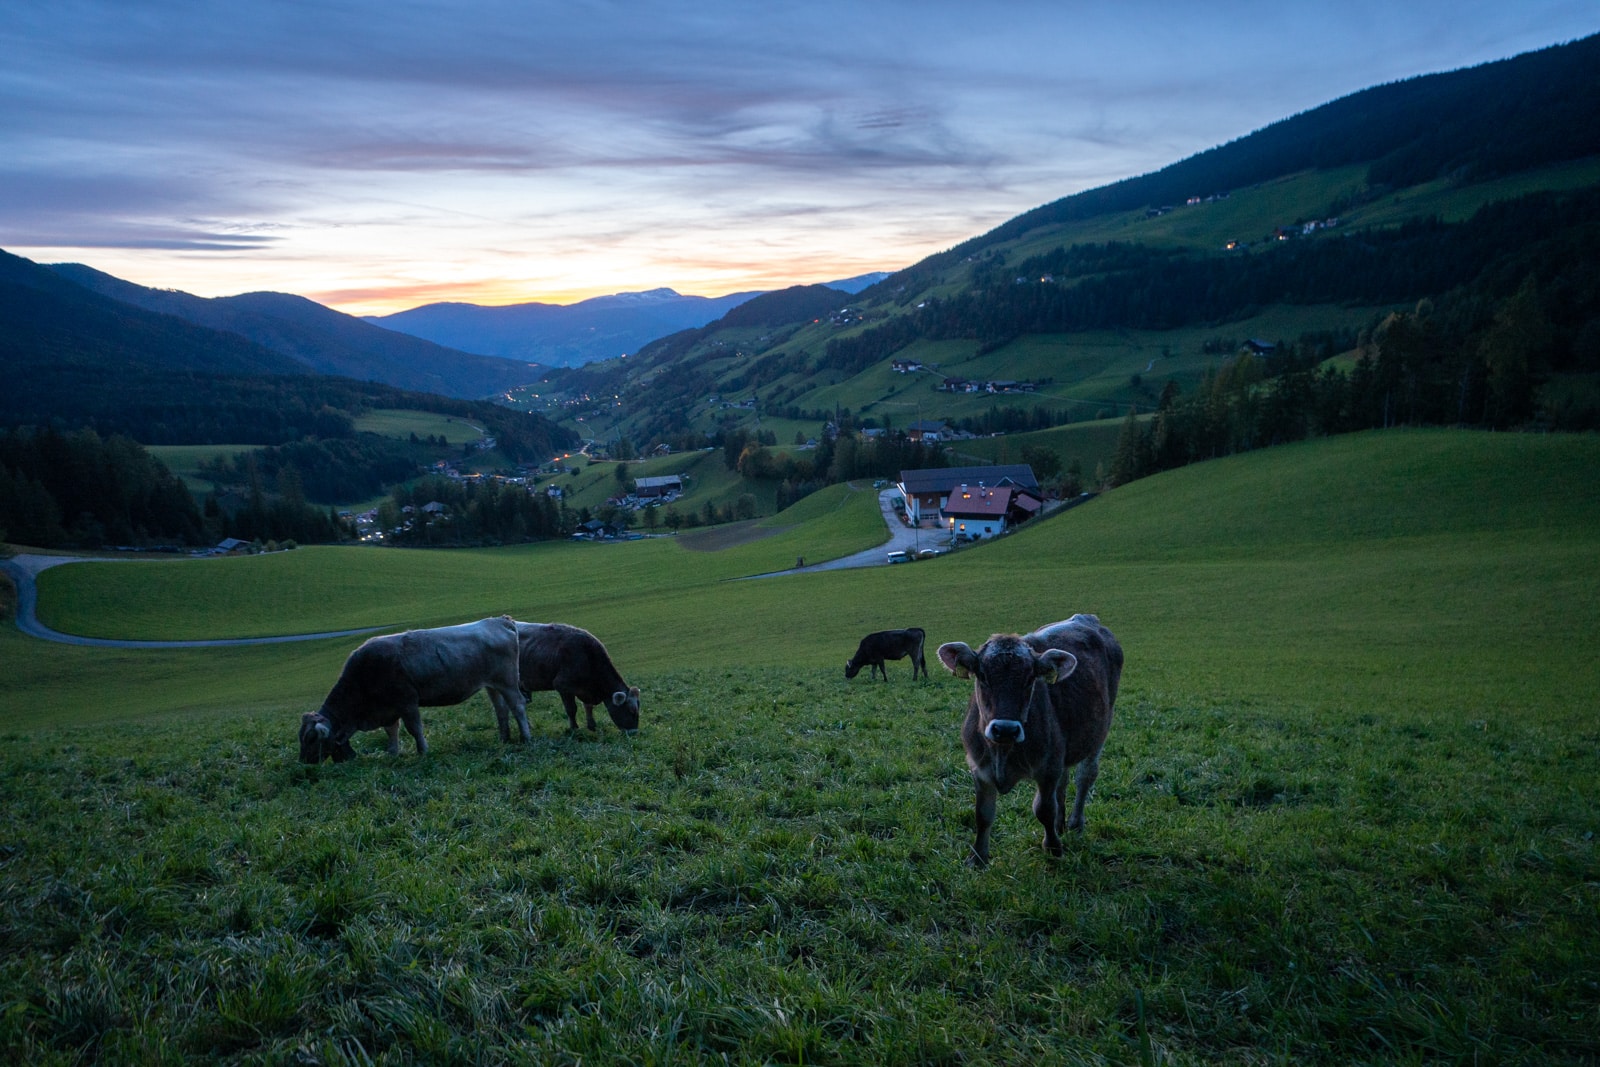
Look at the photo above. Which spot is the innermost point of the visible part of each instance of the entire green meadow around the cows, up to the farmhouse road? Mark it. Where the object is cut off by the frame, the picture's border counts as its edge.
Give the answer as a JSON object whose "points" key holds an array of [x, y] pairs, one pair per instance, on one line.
{"points": [[1348, 810]]}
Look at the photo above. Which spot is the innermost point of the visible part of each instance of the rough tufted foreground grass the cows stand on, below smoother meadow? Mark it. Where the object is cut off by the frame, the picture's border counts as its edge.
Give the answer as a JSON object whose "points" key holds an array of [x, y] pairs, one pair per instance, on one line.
{"points": [[774, 873]]}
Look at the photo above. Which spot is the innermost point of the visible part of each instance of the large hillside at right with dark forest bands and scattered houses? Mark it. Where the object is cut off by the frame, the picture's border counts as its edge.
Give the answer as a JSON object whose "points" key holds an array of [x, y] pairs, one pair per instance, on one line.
{"points": [[1482, 193]]}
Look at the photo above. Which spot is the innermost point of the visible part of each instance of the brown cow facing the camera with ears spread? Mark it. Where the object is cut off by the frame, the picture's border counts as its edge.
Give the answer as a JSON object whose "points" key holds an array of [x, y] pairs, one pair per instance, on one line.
{"points": [[1041, 703]]}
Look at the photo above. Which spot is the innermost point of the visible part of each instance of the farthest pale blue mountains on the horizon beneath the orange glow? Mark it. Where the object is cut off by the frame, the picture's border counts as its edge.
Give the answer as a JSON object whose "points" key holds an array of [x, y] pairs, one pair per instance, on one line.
{"points": [[572, 335]]}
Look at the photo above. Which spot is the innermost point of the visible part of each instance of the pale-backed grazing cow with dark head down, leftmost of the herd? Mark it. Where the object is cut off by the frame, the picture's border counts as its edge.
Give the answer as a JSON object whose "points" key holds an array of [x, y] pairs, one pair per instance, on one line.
{"points": [[388, 679]]}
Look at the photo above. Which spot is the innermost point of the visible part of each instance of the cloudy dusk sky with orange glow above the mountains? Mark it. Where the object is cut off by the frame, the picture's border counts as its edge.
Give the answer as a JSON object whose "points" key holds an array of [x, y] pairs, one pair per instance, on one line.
{"points": [[377, 156]]}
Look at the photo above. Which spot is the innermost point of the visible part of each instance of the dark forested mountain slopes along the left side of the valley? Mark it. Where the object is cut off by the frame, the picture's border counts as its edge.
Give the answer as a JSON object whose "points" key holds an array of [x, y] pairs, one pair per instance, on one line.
{"points": [[76, 358]]}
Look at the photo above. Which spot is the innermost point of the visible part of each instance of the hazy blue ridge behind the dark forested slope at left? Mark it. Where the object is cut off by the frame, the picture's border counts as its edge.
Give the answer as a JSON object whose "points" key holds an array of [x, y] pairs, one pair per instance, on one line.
{"points": [[321, 340]]}
